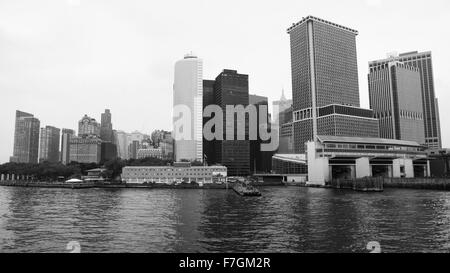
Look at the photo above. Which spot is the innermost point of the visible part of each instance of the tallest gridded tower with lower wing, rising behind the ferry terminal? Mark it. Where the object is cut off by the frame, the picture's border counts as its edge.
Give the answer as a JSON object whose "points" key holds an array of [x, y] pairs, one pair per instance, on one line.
{"points": [[325, 83]]}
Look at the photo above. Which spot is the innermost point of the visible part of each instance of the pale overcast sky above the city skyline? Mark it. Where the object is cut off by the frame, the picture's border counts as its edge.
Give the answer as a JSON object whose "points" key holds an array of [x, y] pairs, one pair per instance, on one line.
{"points": [[62, 59]]}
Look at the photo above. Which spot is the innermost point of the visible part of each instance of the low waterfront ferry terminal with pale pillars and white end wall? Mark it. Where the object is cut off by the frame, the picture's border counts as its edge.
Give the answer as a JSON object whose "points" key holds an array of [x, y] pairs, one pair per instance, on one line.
{"points": [[346, 158]]}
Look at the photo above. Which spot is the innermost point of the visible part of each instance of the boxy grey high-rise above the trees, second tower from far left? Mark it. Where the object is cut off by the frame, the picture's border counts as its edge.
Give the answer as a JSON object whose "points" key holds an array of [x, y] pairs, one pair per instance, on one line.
{"points": [[49, 144]]}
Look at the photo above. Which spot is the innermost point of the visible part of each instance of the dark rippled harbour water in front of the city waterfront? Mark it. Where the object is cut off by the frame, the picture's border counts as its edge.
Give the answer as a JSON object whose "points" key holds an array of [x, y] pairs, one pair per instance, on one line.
{"points": [[282, 220]]}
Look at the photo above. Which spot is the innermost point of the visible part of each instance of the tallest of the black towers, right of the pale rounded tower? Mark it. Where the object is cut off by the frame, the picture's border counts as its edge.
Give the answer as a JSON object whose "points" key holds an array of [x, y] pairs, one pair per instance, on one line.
{"points": [[231, 88]]}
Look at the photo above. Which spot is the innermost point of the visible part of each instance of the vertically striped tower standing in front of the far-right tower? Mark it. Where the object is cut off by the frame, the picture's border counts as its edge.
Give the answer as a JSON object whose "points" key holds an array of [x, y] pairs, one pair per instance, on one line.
{"points": [[395, 96]]}
